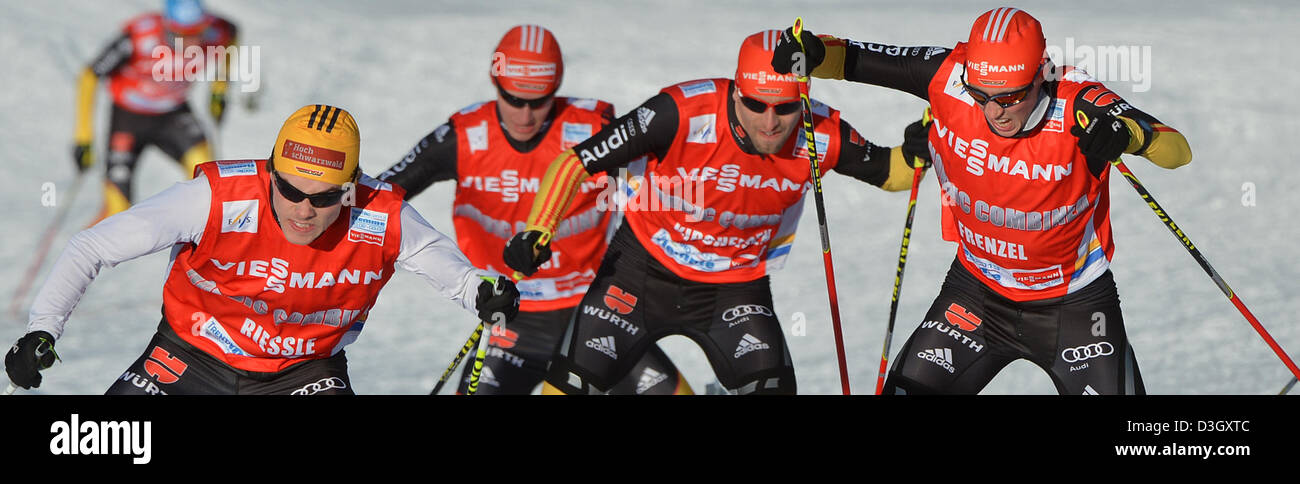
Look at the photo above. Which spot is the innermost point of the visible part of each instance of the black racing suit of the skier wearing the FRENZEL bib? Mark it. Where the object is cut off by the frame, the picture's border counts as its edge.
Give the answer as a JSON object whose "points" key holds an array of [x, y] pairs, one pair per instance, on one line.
{"points": [[970, 332]]}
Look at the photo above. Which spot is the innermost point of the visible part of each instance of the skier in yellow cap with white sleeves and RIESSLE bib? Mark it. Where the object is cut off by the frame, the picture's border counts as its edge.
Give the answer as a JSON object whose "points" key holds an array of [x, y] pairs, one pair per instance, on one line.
{"points": [[275, 269]]}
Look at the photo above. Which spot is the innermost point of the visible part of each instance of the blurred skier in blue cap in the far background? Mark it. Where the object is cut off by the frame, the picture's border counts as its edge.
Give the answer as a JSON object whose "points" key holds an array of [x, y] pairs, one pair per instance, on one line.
{"points": [[149, 110]]}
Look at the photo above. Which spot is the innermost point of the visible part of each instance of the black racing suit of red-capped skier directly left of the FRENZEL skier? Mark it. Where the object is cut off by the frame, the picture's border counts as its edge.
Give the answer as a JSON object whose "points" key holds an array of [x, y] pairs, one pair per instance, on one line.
{"points": [[735, 325]]}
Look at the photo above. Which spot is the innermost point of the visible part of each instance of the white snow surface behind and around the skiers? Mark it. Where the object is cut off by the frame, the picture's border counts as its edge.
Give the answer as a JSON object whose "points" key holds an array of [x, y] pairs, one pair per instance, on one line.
{"points": [[1224, 74]]}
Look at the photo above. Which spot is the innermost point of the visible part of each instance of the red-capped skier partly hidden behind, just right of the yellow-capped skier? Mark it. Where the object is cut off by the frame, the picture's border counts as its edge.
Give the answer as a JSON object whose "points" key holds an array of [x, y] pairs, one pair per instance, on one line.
{"points": [[497, 153]]}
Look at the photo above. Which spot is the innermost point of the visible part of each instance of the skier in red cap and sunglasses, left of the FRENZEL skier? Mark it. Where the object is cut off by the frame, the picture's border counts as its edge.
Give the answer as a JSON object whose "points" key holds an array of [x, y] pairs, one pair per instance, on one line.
{"points": [[714, 211]]}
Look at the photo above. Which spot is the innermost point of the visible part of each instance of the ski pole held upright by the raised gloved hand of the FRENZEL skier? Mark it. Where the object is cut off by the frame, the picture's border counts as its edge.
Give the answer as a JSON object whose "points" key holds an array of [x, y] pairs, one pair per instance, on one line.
{"points": [[821, 208]]}
